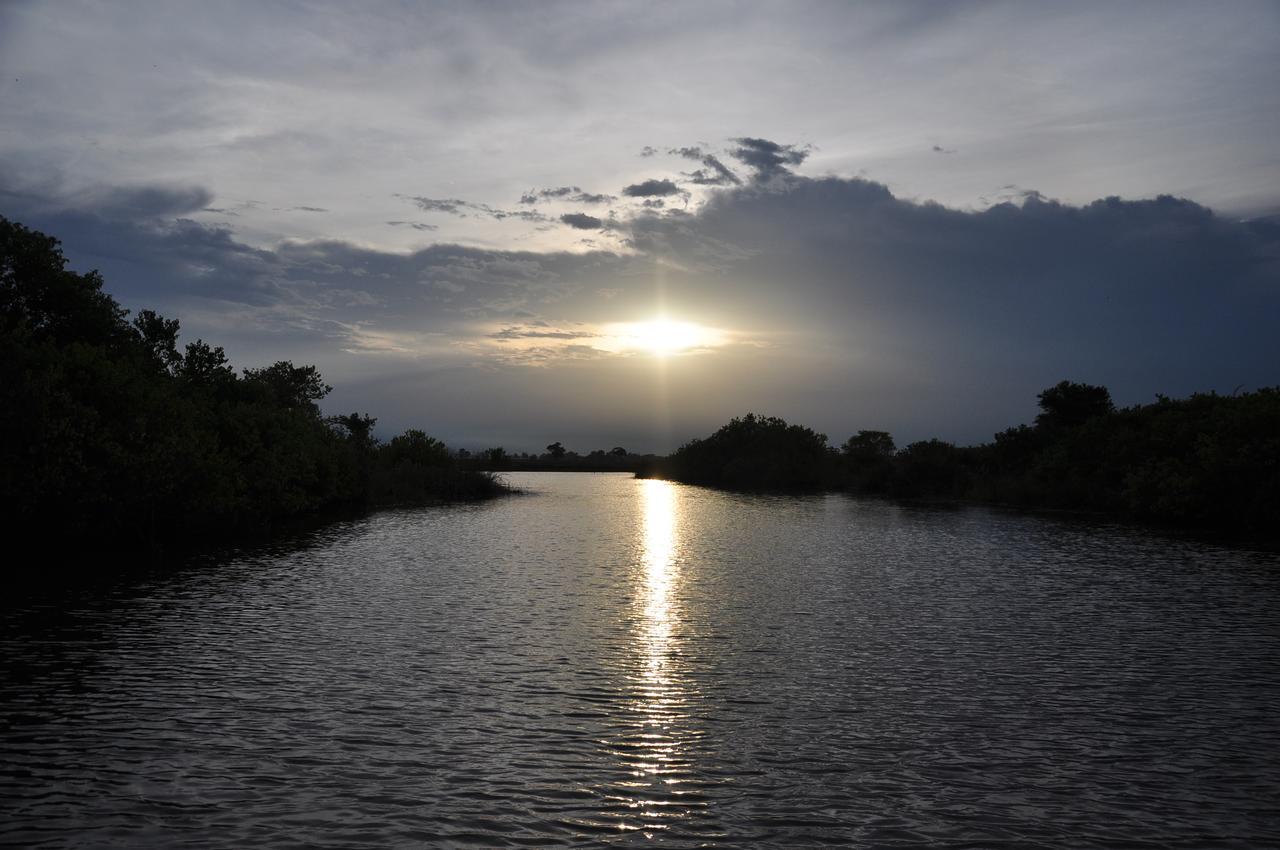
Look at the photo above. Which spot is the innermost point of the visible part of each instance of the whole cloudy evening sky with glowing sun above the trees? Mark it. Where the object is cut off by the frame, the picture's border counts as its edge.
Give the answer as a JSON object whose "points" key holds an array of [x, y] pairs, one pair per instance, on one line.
{"points": [[625, 223]]}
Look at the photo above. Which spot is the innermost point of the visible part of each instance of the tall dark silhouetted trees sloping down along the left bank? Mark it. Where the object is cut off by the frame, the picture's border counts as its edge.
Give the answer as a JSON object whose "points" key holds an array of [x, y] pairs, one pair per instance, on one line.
{"points": [[112, 437]]}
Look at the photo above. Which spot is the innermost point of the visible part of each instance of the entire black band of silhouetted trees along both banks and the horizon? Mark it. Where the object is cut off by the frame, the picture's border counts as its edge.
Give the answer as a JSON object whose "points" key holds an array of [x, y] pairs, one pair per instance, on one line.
{"points": [[117, 442]]}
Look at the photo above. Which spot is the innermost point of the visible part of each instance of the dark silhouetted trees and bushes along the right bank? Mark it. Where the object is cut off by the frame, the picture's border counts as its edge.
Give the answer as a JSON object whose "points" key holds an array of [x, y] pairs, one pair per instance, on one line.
{"points": [[1208, 461]]}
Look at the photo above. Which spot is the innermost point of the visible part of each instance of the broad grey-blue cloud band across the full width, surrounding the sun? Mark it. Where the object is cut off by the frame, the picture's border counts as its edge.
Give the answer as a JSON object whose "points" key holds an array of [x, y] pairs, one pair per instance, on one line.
{"points": [[879, 312]]}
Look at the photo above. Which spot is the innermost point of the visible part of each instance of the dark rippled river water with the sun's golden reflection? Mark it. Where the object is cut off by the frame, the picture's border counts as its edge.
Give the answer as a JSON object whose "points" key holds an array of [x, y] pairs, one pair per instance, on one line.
{"points": [[634, 662]]}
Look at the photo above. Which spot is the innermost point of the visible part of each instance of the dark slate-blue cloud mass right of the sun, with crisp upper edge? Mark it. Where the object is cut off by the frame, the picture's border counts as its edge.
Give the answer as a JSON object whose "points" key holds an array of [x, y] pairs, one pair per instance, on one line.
{"points": [[1114, 289]]}
